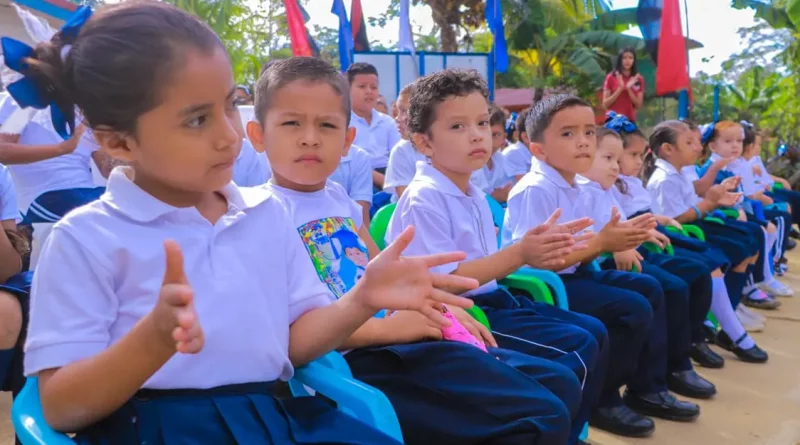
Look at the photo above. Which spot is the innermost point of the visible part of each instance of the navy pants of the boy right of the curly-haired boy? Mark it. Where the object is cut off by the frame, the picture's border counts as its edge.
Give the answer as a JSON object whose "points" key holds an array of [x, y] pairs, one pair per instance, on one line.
{"points": [[631, 307]]}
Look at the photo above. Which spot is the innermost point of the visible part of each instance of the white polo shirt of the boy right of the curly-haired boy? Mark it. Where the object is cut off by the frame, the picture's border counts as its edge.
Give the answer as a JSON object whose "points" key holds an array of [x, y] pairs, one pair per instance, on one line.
{"points": [[535, 197]]}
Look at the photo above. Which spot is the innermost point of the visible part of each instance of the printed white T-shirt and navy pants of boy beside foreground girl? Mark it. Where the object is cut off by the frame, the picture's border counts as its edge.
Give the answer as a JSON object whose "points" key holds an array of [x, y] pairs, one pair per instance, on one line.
{"points": [[443, 392]]}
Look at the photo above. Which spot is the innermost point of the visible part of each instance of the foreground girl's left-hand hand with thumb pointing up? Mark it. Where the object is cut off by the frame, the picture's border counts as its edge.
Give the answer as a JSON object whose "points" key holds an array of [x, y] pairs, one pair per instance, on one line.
{"points": [[174, 313]]}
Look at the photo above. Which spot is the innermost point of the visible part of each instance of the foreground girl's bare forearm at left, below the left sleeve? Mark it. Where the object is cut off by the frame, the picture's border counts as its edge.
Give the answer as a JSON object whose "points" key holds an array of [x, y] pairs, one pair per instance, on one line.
{"points": [[85, 392]]}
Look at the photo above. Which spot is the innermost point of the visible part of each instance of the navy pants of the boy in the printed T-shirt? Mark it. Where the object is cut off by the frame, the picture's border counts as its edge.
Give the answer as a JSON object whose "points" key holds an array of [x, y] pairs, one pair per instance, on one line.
{"points": [[452, 393]]}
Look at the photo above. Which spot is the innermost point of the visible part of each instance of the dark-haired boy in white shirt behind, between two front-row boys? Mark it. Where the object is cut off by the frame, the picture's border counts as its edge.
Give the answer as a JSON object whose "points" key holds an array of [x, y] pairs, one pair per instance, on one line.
{"points": [[375, 131]]}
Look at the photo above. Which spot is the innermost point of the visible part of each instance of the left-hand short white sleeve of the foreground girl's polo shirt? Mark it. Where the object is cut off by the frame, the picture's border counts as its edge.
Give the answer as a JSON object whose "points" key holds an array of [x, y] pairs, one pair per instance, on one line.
{"points": [[73, 305]]}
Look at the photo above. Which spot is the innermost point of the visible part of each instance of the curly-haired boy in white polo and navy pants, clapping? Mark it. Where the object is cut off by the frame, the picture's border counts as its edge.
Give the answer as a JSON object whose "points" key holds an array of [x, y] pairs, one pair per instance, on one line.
{"points": [[449, 122]]}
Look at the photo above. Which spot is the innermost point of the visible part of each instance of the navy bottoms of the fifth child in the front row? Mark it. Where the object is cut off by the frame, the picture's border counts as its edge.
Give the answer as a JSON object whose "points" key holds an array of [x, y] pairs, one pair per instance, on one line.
{"points": [[696, 274]]}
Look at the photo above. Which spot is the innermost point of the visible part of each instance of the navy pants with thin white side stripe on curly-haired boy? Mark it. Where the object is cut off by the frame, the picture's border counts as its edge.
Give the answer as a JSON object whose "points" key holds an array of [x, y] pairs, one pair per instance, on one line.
{"points": [[574, 340]]}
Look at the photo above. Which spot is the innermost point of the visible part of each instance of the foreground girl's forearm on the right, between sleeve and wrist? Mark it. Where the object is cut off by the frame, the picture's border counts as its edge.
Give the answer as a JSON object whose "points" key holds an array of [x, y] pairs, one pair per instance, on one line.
{"points": [[325, 329]]}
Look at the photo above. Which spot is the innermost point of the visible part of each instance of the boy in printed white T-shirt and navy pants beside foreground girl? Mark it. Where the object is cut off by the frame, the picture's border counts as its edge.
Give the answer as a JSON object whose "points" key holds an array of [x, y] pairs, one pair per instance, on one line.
{"points": [[434, 386]]}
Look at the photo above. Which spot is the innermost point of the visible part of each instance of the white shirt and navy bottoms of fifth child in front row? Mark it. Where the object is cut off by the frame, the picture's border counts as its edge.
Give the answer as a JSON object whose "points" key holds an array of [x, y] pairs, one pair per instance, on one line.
{"points": [[686, 282]]}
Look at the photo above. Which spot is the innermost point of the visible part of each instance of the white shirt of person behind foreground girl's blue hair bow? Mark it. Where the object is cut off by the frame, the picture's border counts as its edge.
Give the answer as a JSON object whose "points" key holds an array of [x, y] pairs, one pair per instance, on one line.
{"points": [[60, 173]]}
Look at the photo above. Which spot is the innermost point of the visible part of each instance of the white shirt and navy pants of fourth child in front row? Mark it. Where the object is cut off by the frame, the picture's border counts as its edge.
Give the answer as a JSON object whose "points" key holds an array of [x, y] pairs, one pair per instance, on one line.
{"points": [[631, 306]]}
